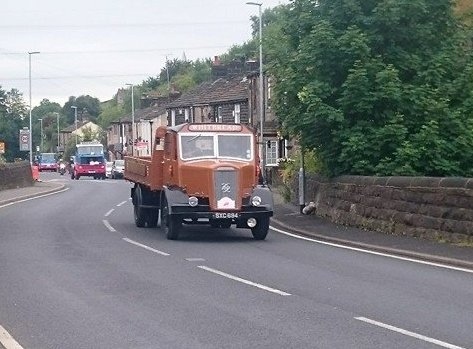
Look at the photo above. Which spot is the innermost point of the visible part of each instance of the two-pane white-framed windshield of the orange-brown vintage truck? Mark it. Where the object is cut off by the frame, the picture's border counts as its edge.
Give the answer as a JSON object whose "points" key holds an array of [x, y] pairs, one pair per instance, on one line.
{"points": [[216, 145]]}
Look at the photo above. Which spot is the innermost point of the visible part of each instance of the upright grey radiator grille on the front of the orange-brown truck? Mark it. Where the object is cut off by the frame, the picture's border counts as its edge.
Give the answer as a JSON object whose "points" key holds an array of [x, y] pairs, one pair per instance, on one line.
{"points": [[226, 189]]}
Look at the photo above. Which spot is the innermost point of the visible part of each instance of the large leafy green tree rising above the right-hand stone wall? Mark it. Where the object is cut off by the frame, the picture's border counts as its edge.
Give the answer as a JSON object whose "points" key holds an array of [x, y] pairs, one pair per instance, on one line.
{"points": [[376, 87]]}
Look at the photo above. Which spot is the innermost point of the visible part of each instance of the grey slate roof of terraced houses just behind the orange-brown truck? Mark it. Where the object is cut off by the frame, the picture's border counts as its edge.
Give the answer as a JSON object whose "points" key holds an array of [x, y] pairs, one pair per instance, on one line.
{"points": [[218, 91]]}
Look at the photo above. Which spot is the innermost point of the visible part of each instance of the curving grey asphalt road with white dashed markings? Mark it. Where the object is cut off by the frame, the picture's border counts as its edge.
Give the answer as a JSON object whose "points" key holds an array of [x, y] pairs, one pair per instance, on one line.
{"points": [[76, 273]]}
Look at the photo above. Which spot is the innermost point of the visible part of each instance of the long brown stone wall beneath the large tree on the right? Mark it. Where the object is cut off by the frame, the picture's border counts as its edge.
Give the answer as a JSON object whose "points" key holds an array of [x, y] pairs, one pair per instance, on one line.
{"points": [[427, 207]]}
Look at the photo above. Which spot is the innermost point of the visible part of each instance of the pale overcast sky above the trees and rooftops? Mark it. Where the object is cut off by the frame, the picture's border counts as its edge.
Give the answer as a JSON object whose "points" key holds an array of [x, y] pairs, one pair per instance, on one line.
{"points": [[97, 46]]}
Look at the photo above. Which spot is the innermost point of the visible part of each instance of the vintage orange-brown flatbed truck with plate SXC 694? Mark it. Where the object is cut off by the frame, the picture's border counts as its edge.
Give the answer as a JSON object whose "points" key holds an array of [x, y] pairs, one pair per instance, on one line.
{"points": [[200, 173]]}
